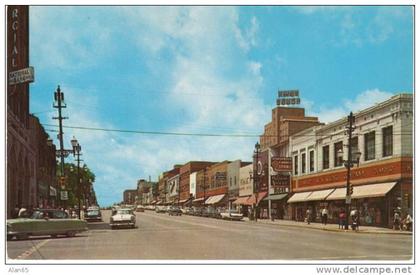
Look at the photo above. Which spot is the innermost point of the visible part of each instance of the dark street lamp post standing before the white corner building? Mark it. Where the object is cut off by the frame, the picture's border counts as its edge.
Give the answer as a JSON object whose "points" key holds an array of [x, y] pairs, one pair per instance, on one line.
{"points": [[349, 164]]}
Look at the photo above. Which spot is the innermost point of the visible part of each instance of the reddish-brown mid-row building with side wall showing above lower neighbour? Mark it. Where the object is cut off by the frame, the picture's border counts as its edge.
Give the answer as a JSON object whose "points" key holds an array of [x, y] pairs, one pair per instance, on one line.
{"points": [[184, 180]]}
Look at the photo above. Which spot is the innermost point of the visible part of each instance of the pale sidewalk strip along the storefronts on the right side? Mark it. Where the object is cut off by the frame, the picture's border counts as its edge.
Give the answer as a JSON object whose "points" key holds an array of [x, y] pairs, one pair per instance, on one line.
{"points": [[330, 227]]}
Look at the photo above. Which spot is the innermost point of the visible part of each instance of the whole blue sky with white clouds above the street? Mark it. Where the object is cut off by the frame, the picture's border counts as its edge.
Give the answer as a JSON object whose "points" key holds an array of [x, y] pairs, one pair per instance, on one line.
{"points": [[205, 70]]}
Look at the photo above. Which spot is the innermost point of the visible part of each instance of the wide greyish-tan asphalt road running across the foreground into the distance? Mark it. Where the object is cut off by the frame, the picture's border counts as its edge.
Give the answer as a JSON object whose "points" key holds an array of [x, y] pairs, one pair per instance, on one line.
{"points": [[163, 237]]}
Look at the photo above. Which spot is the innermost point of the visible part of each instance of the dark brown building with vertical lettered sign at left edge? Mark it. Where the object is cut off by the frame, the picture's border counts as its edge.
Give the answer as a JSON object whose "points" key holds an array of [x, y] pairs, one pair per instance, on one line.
{"points": [[21, 157]]}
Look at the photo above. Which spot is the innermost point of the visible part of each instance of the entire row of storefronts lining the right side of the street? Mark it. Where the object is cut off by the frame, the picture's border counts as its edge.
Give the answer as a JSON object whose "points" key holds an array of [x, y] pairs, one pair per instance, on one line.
{"points": [[298, 168]]}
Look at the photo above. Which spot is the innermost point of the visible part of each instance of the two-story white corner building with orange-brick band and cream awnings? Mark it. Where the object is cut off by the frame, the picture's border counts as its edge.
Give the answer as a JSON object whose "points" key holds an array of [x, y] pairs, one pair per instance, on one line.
{"points": [[382, 179]]}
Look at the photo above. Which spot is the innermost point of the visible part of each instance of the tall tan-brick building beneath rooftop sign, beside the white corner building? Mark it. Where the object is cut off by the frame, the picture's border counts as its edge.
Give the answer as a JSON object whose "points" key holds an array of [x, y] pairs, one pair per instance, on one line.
{"points": [[273, 175]]}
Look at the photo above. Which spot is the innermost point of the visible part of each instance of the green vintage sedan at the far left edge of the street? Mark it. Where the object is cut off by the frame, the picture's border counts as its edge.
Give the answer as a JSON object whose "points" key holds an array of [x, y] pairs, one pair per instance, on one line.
{"points": [[51, 222]]}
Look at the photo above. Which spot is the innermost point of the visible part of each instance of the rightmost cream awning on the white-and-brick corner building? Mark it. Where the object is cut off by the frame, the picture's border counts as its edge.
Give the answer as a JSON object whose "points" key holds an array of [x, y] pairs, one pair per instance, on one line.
{"points": [[363, 191]]}
